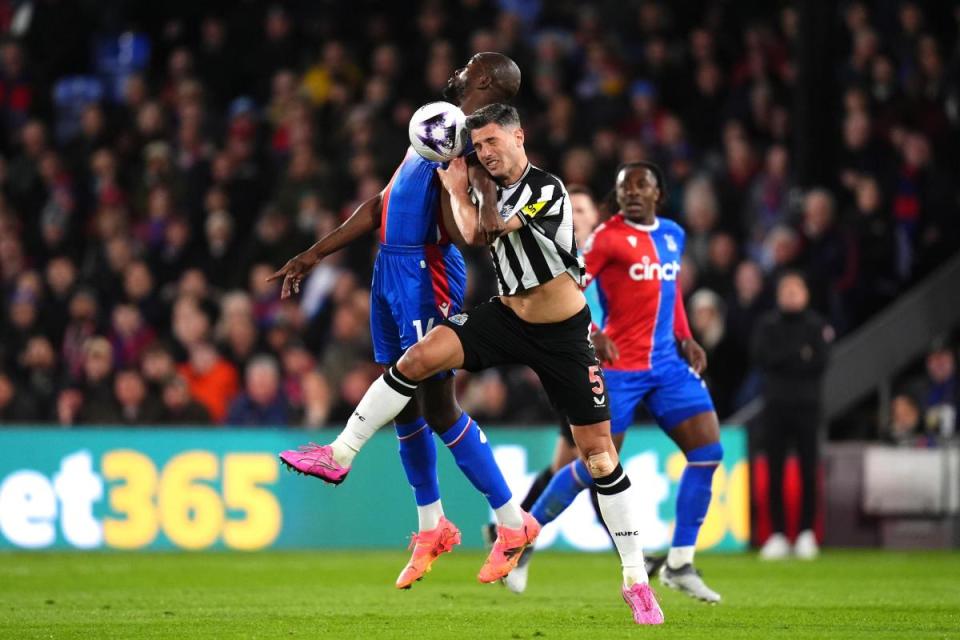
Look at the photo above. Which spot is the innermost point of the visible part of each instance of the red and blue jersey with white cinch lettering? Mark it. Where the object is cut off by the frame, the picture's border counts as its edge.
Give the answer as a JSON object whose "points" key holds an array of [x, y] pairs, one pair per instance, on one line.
{"points": [[636, 268]]}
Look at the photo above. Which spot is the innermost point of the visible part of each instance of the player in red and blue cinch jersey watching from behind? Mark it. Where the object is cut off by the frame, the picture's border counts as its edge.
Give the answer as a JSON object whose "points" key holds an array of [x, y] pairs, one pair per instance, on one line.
{"points": [[634, 259]]}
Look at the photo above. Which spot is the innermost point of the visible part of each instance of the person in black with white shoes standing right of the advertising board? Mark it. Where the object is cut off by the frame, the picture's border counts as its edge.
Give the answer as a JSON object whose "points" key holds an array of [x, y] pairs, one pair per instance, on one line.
{"points": [[790, 348]]}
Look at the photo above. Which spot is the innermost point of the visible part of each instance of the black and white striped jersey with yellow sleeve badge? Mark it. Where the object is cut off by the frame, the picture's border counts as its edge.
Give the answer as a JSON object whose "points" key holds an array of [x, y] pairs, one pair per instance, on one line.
{"points": [[545, 246]]}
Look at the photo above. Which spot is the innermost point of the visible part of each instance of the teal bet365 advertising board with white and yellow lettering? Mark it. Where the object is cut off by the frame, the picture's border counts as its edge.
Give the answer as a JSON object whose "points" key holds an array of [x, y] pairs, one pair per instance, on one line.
{"points": [[225, 489]]}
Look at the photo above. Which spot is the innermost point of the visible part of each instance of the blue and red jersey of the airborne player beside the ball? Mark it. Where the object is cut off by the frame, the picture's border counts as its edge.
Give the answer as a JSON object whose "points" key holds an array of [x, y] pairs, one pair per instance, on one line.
{"points": [[410, 214]]}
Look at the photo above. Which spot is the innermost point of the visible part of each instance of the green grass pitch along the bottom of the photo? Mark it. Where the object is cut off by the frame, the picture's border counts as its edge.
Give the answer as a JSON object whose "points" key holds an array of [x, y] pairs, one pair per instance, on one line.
{"points": [[343, 595]]}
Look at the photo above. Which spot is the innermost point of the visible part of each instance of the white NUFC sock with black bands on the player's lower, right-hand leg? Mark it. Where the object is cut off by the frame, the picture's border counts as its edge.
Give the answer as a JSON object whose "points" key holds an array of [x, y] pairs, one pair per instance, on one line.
{"points": [[622, 518]]}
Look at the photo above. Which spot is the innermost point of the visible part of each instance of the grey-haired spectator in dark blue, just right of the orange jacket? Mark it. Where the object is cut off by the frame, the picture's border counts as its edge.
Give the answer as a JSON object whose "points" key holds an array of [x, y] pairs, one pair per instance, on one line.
{"points": [[262, 403]]}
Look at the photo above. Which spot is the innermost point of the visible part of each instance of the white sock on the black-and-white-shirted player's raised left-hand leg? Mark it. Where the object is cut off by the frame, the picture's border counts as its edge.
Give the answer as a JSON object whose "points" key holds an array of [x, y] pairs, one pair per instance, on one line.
{"points": [[379, 405]]}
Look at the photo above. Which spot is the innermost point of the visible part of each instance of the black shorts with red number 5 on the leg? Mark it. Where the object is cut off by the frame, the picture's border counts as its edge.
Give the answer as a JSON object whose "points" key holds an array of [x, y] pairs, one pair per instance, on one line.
{"points": [[560, 353]]}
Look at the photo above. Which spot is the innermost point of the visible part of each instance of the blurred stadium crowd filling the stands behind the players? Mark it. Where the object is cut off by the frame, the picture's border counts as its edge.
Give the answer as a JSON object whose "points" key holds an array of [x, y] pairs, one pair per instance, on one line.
{"points": [[155, 174]]}
